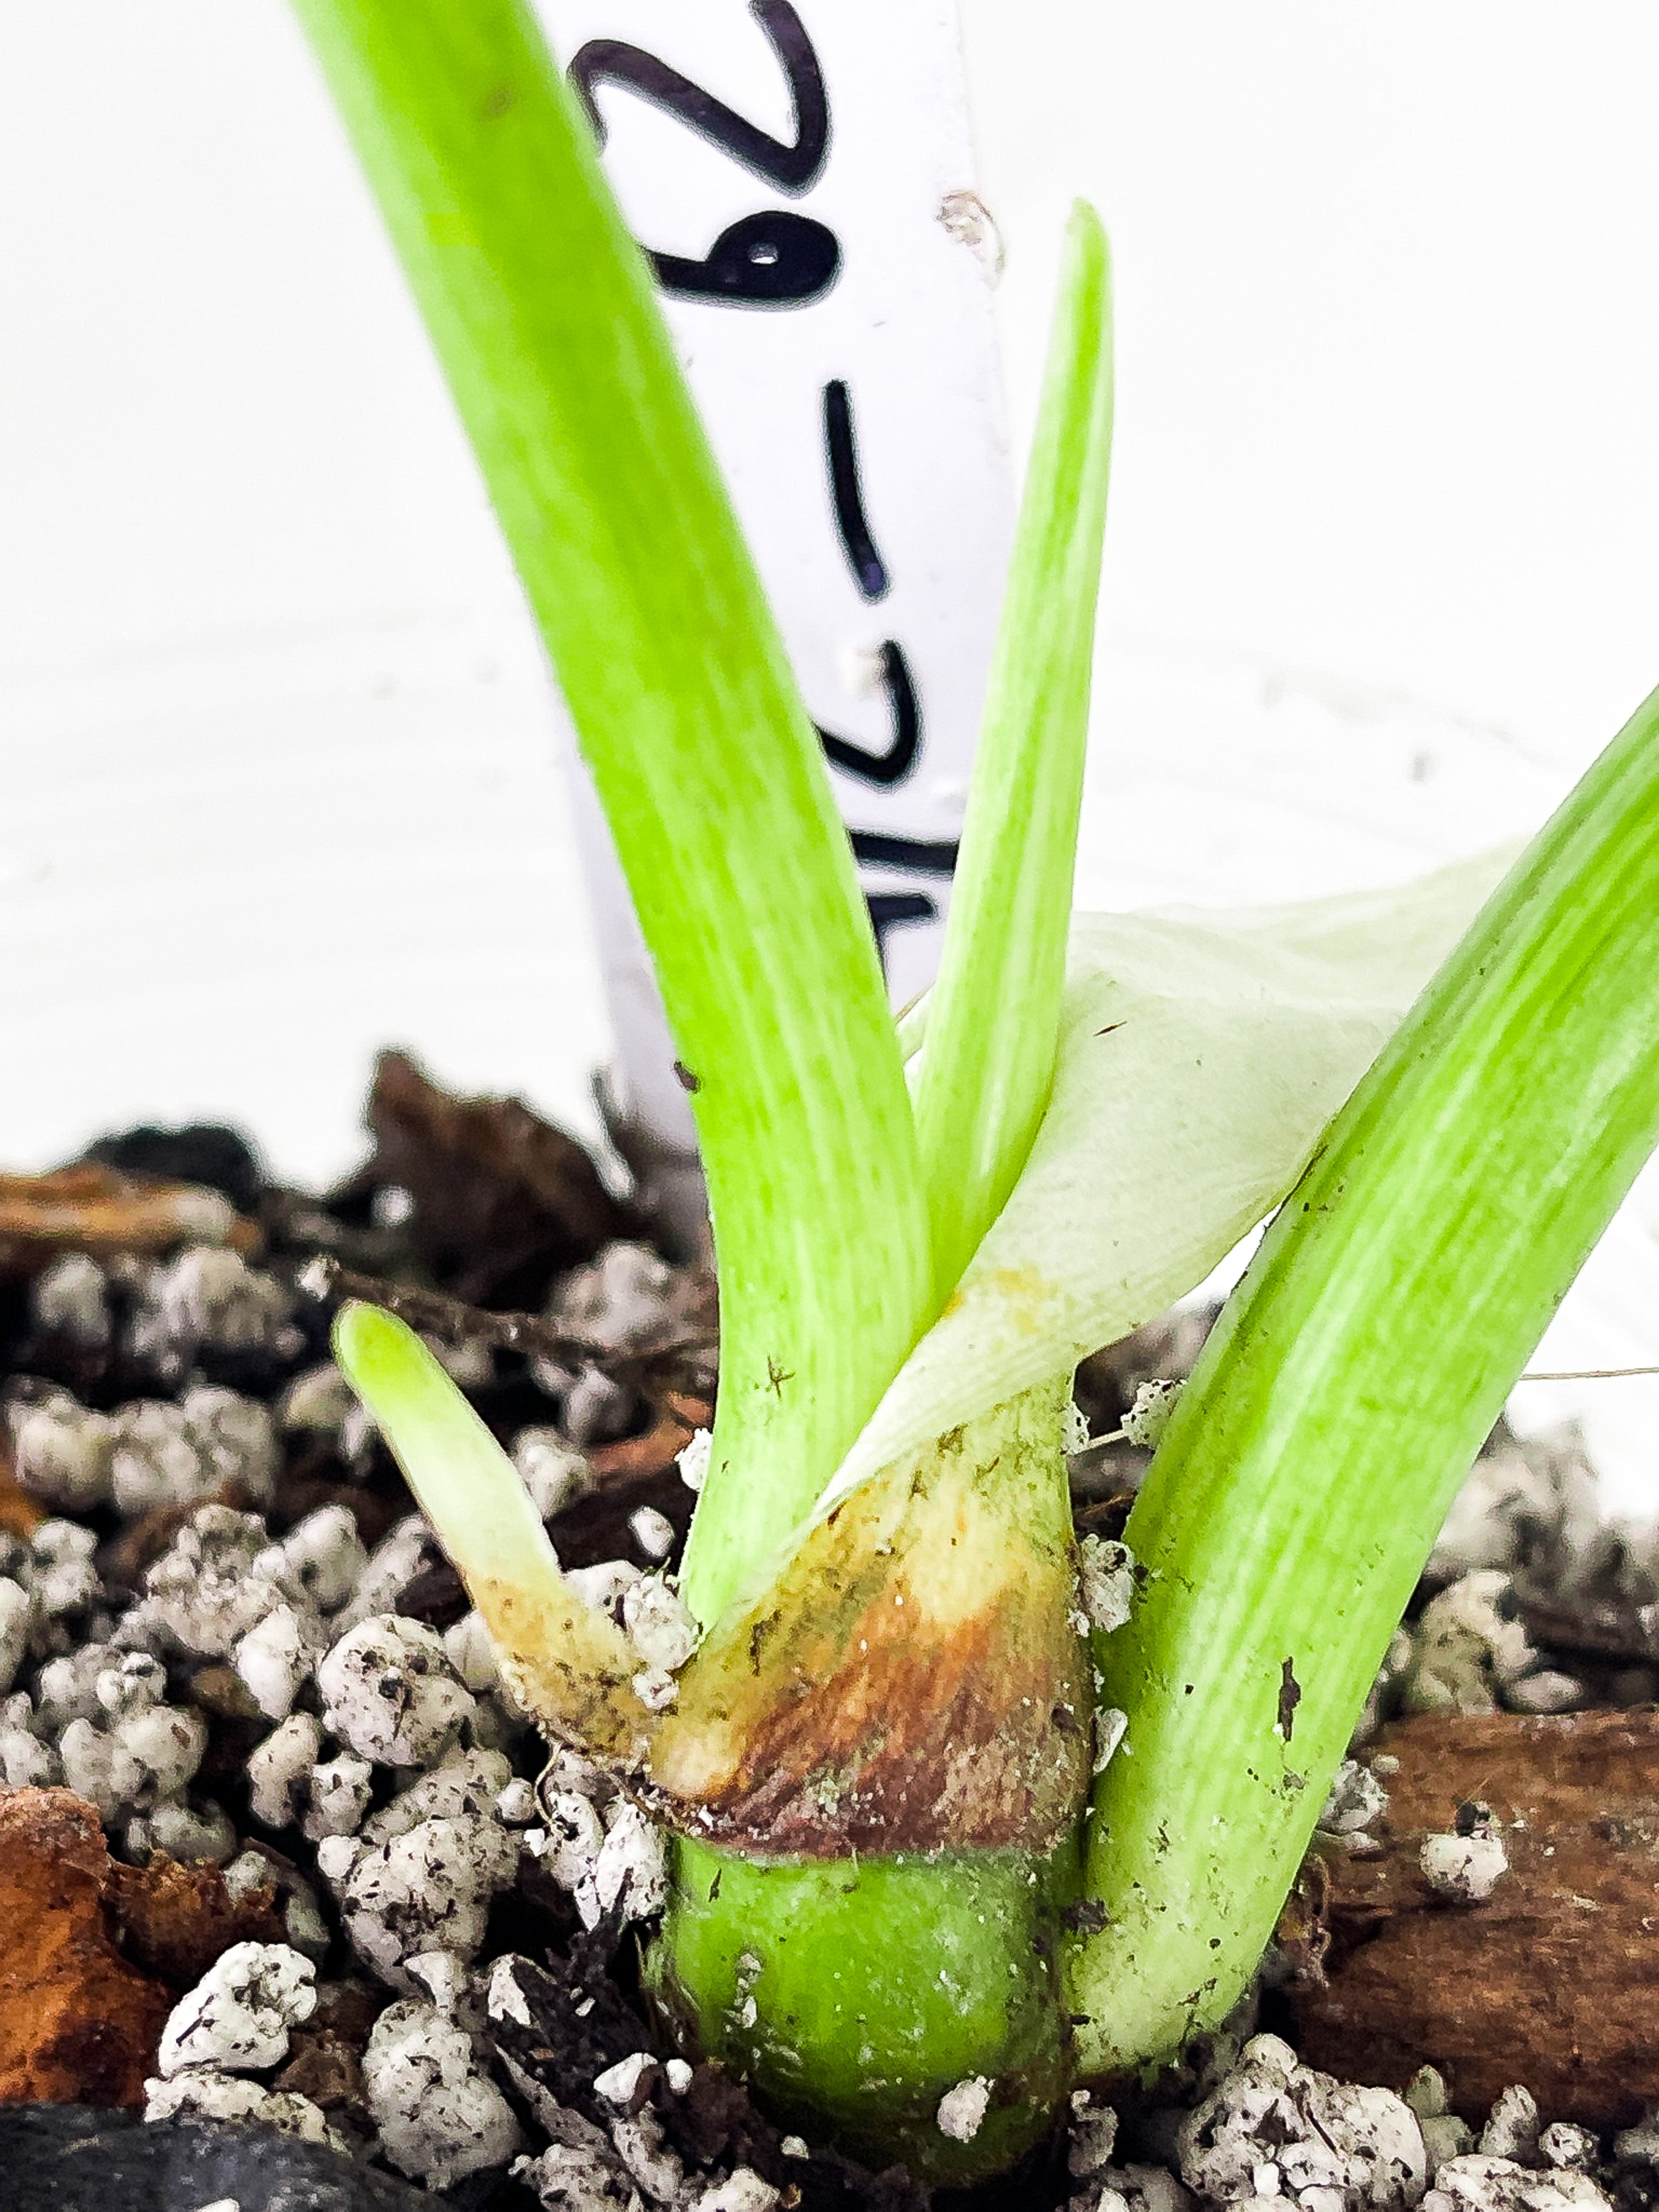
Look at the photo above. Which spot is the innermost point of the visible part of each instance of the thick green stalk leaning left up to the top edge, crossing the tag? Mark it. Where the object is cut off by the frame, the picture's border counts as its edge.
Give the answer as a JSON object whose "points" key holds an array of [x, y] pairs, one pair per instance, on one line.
{"points": [[707, 764]]}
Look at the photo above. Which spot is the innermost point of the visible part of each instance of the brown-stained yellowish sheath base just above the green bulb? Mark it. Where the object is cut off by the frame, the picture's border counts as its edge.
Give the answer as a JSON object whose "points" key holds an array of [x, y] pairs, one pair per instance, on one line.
{"points": [[915, 1680]]}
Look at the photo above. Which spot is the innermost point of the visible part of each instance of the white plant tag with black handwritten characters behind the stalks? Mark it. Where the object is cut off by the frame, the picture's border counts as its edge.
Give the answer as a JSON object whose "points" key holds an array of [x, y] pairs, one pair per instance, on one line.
{"points": [[804, 180]]}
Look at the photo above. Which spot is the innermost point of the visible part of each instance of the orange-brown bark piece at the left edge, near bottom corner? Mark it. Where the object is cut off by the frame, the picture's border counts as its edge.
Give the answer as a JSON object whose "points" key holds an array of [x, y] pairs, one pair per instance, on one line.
{"points": [[79, 2025]]}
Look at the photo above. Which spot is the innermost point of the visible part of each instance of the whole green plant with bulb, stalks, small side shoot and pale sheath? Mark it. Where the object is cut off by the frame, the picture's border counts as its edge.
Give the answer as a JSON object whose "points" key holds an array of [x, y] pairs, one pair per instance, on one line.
{"points": [[906, 1744]]}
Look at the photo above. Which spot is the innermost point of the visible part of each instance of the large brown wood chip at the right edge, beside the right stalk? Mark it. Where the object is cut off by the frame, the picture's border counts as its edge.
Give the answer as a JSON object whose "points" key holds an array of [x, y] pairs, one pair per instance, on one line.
{"points": [[1556, 1979]]}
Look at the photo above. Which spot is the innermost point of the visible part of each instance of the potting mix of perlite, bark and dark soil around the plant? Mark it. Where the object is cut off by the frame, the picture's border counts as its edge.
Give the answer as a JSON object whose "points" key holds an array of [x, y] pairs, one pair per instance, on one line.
{"points": [[415, 1976]]}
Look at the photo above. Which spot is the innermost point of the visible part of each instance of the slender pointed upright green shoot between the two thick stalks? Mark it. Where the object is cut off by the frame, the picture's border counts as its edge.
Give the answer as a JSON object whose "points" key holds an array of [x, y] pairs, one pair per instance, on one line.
{"points": [[997, 1005]]}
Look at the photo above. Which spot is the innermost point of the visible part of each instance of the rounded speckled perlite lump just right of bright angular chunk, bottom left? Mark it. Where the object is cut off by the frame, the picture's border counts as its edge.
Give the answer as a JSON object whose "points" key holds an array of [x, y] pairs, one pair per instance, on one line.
{"points": [[439, 2118]]}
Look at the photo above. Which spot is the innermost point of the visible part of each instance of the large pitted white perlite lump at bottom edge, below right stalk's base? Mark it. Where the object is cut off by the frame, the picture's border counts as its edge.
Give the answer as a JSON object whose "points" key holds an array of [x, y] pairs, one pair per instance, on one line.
{"points": [[1282, 2129]]}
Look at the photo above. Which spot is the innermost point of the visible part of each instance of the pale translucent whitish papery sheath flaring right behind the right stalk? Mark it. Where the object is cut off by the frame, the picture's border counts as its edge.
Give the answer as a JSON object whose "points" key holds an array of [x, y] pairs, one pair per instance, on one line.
{"points": [[1200, 1061]]}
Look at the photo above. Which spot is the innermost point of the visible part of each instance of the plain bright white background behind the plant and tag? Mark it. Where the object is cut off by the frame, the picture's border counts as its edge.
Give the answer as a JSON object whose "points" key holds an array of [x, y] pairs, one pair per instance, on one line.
{"points": [[278, 775]]}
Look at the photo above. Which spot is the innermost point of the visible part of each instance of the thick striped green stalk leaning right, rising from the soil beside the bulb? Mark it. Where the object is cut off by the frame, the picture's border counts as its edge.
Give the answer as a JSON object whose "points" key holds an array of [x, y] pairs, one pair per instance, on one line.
{"points": [[1346, 1395]]}
